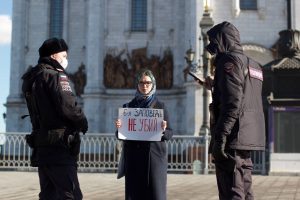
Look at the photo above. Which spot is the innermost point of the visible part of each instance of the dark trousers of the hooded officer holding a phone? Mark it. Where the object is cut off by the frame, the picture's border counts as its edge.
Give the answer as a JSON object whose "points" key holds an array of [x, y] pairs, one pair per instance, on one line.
{"points": [[234, 176]]}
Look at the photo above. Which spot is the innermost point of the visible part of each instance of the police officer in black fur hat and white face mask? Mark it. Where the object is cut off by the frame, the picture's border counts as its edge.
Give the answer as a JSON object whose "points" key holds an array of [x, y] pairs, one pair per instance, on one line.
{"points": [[56, 122]]}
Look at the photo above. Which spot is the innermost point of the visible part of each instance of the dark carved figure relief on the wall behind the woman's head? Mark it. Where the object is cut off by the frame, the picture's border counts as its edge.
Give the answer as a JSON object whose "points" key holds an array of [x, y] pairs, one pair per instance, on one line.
{"points": [[120, 69]]}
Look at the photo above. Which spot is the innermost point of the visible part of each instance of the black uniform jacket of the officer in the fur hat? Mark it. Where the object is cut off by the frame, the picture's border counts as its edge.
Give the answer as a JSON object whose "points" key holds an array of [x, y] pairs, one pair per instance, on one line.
{"points": [[56, 109]]}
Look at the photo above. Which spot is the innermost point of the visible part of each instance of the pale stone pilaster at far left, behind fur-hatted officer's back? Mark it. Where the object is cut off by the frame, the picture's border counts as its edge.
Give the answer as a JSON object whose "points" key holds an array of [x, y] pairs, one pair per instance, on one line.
{"points": [[15, 104]]}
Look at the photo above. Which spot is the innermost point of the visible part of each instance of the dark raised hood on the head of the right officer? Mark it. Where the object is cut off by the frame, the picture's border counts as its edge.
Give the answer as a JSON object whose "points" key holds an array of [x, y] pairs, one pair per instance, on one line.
{"points": [[224, 38]]}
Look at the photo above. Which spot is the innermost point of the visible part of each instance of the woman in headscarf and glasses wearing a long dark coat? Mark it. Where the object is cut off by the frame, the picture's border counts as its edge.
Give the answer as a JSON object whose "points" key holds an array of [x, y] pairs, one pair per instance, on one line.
{"points": [[145, 162]]}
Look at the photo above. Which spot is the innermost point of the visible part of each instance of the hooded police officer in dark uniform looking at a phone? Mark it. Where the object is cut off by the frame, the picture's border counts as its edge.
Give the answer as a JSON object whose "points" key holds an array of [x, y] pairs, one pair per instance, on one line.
{"points": [[238, 126]]}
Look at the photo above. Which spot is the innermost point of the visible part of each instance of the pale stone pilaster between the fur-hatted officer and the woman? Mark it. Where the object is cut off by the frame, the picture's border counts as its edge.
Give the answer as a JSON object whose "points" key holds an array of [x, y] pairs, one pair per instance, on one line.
{"points": [[93, 104]]}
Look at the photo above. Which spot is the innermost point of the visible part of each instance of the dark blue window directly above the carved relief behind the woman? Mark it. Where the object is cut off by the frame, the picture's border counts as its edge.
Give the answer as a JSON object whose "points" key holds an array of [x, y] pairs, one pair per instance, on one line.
{"points": [[139, 15]]}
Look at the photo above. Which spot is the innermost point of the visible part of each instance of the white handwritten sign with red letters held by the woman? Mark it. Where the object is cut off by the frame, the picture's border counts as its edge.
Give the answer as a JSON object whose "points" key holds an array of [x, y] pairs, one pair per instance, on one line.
{"points": [[140, 124]]}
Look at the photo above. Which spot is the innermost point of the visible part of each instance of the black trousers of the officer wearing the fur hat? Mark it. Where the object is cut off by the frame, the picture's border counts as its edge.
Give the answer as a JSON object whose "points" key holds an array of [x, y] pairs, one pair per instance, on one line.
{"points": [[59, 183]]}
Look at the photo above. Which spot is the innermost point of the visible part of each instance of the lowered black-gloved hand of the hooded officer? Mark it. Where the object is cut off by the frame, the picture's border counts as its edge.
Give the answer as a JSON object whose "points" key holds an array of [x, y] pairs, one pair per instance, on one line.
{"points": [[218, 150]]}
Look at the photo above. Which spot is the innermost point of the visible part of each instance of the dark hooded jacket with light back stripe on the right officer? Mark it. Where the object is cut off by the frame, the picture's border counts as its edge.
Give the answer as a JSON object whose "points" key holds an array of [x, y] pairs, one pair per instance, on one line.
{"points": [[237, 100]]}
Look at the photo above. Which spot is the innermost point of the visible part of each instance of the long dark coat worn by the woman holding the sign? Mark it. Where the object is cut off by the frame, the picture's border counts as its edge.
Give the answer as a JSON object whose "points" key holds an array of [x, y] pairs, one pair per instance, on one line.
{"points": [[146, 164]]}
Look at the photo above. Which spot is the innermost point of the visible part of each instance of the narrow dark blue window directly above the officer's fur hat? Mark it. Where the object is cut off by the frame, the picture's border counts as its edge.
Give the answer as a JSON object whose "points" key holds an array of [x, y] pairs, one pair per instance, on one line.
{"points": [[56, 18]]}
